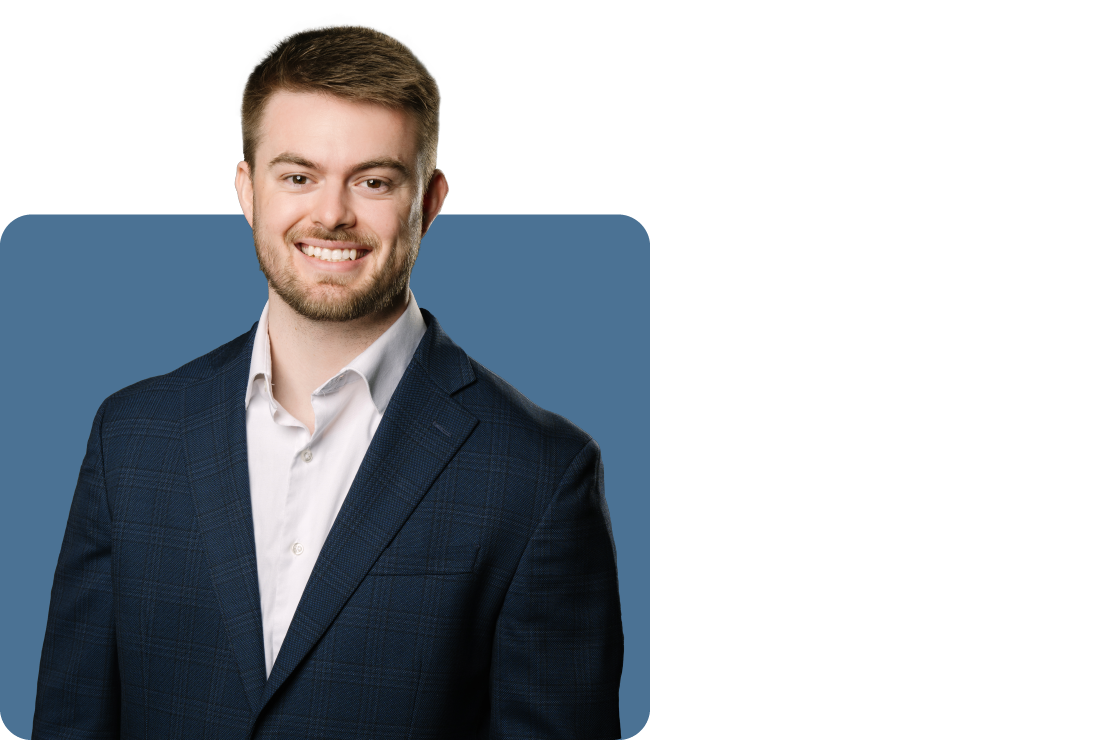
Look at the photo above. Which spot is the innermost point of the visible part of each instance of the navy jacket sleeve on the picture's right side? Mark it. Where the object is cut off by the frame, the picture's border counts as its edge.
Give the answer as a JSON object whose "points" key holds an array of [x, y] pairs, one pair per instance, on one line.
{"points": [[559, 645]]}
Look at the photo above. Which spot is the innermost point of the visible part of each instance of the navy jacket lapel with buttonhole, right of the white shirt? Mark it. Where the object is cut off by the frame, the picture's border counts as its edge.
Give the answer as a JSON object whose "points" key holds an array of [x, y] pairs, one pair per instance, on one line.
{"points": [[422, 431]]}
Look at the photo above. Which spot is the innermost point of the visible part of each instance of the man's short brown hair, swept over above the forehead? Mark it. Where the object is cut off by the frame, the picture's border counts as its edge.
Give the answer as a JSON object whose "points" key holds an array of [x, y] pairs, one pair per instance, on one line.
{"points": [[353, 61]]}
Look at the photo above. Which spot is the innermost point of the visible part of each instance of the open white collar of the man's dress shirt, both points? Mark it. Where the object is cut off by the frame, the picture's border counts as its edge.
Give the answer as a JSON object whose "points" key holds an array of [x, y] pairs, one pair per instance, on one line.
{"points": [[381, 366]]}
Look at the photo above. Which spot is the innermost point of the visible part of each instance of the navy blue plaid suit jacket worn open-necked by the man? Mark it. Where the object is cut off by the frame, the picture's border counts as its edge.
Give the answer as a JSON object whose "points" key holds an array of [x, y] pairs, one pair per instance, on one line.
{"points": [[468, 588]]}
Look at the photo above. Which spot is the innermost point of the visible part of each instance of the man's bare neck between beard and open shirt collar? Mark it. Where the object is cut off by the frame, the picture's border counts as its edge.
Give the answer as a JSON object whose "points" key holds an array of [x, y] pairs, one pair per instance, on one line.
{"points": [[305, 353]]}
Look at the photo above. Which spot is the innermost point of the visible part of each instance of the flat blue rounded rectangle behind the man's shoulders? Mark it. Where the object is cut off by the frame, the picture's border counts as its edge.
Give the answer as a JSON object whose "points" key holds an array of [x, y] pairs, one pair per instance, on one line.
{"points": [[557, 305]]}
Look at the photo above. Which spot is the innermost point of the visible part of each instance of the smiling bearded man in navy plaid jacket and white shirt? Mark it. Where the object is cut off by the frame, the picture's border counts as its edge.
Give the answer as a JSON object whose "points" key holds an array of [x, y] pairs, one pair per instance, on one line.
{"points": [[339, 525]]}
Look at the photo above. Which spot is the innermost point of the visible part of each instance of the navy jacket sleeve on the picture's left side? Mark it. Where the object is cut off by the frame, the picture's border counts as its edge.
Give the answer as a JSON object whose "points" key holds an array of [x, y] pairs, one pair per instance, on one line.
{"points": [[80, 687]]}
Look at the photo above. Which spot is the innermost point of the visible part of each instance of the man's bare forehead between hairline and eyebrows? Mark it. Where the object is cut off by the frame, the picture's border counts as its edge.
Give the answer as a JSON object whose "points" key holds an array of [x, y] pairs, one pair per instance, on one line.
{"points": [[330, 130]]}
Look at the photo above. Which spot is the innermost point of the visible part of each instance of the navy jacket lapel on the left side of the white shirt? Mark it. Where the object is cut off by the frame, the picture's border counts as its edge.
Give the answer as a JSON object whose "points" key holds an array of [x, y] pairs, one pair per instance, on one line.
{"points": [[215, 438]]}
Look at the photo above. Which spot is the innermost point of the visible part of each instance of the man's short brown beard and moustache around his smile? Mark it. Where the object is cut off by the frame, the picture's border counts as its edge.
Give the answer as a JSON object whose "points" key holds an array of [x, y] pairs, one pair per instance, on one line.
{"points": [[386, 292]]}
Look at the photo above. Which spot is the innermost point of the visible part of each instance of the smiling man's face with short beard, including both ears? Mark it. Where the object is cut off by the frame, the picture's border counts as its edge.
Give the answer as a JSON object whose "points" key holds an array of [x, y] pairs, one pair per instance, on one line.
{"points": [[332, 176]]}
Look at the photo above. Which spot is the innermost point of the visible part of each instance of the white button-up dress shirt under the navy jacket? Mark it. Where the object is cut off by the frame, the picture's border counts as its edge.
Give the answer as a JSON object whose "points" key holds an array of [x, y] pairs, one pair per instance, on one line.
{"points": [[300, 481]]}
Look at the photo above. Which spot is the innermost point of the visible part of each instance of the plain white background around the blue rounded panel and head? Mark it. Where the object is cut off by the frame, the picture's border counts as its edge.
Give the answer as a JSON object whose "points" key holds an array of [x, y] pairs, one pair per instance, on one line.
{"points": [[880, 235]]}
